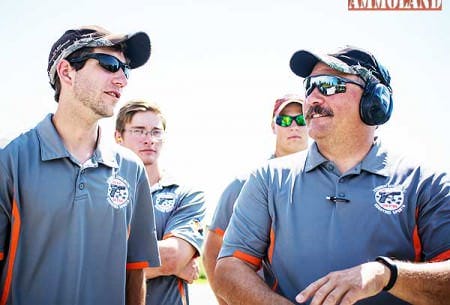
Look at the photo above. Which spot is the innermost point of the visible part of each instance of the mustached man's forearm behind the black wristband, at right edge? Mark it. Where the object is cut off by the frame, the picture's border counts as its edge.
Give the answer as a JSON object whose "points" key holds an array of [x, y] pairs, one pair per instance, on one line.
{"points": [[425, 283]]}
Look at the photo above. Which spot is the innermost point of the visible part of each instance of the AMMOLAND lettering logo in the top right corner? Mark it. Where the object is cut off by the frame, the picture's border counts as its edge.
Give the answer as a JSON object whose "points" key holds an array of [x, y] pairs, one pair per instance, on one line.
{"points": [[395, 5]]}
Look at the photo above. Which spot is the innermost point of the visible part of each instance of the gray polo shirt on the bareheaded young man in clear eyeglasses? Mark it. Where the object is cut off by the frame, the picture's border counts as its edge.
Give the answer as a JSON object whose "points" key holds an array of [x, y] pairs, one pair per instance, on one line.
{"points": [[179, 212]]}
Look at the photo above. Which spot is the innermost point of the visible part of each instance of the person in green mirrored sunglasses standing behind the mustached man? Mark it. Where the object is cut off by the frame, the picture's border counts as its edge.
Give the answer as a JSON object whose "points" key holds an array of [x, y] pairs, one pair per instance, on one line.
{"points": [[288, 125]]}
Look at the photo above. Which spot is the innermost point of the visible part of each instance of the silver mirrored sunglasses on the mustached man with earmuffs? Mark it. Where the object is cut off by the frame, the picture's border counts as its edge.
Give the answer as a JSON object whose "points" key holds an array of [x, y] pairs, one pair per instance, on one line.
{"points": [[327, 84]]}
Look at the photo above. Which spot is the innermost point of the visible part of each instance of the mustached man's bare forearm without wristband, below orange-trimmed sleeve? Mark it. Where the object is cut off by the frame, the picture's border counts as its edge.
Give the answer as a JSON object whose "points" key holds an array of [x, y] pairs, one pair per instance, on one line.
{"points": [[238, 284]]}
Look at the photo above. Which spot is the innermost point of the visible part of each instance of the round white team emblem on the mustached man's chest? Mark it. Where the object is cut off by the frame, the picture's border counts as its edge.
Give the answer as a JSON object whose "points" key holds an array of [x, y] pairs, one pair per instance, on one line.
{"points": [[389, 199]]}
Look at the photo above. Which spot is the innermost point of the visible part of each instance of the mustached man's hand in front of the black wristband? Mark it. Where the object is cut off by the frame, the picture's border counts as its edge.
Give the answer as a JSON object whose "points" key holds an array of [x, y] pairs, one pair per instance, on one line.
{"points": [[347, 286]]}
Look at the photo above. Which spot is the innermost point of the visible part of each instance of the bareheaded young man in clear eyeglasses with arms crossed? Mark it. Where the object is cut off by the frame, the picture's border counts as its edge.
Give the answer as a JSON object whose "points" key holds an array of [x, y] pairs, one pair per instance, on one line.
{"points": [[179, 209]]}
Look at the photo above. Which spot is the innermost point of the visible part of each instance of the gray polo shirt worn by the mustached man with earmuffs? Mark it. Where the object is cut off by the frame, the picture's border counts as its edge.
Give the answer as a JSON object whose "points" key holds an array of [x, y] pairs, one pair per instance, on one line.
{"points": [[282, 216]]}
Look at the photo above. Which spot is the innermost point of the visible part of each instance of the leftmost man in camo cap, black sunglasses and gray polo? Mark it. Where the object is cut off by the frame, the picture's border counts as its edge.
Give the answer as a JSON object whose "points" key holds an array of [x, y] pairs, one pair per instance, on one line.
{"points": [[76, 226]]}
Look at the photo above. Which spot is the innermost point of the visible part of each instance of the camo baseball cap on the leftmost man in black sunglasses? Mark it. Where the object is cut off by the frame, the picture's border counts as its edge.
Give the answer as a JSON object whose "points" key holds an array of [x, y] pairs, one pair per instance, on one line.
{"points": [[137, 46]]}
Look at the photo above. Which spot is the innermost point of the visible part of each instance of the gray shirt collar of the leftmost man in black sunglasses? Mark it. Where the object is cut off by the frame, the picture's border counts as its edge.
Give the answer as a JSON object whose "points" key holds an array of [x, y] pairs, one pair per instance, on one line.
{"points": [[52, 146]]}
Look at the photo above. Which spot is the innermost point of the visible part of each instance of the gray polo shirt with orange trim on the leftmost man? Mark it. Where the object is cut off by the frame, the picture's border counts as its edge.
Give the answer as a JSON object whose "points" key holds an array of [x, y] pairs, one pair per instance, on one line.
{"points": [[68, 231]]}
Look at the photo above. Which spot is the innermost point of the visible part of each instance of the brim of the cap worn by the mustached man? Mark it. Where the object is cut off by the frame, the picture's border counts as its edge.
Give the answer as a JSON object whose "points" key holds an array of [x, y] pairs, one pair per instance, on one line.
{"points": [[302, 63]]}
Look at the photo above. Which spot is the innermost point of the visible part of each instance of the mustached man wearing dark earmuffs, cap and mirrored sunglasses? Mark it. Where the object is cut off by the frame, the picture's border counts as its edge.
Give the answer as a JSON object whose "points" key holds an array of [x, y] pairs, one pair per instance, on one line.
{"points": [[349, 221]]}
